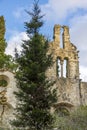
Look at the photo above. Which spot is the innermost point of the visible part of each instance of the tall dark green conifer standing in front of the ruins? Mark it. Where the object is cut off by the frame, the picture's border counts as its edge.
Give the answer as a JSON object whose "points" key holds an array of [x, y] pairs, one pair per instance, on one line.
{"points": [[35, 95]]}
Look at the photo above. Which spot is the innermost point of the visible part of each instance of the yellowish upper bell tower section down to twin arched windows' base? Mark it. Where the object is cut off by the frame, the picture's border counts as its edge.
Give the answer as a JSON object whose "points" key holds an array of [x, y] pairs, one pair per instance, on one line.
{"points": [[68, 53]]}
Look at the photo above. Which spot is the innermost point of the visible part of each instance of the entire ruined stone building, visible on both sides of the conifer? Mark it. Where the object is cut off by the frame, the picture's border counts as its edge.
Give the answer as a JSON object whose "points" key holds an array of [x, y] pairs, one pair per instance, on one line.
{"points": [[71, 91]]}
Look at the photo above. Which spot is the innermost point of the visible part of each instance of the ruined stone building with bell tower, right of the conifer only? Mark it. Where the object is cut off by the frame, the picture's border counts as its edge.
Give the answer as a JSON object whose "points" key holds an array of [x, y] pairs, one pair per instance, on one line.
{"points": [[65, 70]]}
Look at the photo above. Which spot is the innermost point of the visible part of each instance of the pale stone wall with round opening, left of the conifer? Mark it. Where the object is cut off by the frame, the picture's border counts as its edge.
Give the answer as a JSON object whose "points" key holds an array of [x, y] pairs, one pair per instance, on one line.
{"points": [[7, 98]]}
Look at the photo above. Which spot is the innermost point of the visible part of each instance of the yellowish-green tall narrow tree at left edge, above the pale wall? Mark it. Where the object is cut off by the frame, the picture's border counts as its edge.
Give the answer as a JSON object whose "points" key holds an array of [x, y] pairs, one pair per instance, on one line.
{"points": [[6, 61]]}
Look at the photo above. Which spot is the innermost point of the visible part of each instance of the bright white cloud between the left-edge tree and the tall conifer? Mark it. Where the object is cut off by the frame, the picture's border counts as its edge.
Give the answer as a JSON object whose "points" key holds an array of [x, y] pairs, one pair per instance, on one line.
{"points": [[15, 41]]}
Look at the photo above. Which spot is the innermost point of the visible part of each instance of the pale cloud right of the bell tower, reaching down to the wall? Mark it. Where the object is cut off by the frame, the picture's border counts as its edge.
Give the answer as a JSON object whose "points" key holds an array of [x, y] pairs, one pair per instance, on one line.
{"points": [[78, 33]]}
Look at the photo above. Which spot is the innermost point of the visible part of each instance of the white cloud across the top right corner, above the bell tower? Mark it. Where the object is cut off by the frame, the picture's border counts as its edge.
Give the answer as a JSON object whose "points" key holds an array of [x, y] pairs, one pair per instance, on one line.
{"points": [[59, 9]]}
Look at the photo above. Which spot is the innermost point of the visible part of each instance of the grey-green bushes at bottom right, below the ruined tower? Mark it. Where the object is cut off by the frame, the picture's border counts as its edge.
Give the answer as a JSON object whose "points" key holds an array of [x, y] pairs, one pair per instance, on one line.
{"points": [[77, 120]]}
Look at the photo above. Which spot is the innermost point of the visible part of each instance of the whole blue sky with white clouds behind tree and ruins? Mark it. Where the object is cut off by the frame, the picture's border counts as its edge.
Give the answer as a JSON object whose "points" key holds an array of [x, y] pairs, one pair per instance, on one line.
{"points": [[72, 13]]}
